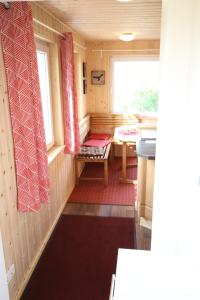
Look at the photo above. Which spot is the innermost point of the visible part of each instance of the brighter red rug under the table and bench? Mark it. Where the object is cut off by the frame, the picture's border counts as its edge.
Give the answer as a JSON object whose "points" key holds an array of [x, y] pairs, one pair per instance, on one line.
{"points": [[116, 193]]}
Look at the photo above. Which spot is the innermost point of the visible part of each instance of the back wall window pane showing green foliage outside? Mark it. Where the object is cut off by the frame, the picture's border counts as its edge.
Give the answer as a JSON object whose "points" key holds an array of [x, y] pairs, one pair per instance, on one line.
{"points": [[135, 85]]}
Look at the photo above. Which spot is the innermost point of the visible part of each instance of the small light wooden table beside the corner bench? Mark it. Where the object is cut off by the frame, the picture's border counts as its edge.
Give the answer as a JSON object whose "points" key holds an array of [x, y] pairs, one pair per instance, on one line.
{"points": [[121, 138]]}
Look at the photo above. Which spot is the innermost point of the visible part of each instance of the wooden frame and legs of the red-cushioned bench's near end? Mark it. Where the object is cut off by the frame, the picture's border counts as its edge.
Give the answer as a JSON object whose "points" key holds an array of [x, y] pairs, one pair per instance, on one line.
{"points": [[94, 159]]}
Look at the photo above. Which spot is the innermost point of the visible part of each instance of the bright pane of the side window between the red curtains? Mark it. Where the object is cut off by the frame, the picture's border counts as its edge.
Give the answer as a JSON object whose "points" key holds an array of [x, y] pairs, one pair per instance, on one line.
{"points": [[43, 69]]}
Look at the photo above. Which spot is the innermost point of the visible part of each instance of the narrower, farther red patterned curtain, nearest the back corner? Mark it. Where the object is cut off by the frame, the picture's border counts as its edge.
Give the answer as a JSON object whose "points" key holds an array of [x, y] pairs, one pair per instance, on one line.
{"points": [[71, 130]]}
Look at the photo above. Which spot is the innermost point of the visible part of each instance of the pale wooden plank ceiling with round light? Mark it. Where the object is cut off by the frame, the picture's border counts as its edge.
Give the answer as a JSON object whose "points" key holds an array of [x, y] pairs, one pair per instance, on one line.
{"points": [[106, 19]]}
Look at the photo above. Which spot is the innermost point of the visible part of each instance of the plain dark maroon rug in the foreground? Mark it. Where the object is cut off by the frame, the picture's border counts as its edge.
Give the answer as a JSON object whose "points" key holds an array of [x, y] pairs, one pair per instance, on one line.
{"points": [[80, 259]]}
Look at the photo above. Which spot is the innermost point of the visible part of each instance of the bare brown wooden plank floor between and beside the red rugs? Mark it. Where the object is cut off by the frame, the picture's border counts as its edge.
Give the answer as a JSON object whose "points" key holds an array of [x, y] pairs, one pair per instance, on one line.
{"points": [[143, 235]]}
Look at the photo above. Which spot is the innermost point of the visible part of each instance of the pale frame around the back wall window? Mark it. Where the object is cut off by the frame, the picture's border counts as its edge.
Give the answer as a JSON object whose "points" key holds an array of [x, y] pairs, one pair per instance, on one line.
{"points": [[127, 57]]}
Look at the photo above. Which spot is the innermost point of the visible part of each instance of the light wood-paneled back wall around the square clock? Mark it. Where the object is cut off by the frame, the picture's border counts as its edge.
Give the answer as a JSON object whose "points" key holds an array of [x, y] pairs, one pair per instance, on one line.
{"points": [[99, 57]]}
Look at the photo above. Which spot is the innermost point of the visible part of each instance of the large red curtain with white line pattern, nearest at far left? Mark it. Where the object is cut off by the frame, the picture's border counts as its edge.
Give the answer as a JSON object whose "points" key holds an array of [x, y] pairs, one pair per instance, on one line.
{"points": [[19, 53]]}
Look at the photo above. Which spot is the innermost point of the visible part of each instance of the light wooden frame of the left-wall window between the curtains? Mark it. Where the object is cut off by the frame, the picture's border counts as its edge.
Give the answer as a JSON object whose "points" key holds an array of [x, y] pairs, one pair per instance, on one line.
{"points": [[44, 47]]}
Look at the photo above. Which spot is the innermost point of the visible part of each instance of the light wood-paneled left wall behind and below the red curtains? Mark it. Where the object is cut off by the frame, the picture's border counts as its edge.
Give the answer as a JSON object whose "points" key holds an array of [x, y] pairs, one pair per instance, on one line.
{"points": [[24, 235]]}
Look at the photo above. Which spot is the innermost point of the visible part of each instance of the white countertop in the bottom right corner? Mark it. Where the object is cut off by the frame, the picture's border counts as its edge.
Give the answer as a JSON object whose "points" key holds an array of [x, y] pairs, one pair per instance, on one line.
{"points": [[143, 275]]}
